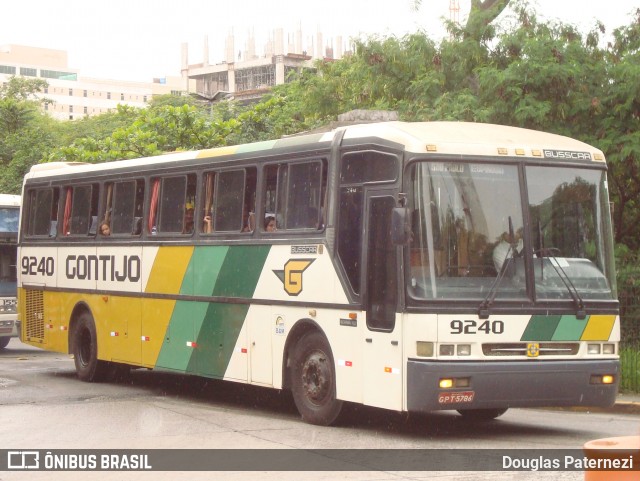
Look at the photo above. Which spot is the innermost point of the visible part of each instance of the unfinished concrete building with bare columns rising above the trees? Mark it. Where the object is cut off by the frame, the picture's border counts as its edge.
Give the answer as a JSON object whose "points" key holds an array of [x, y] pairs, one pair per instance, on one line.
{"points": [[247, 76]]}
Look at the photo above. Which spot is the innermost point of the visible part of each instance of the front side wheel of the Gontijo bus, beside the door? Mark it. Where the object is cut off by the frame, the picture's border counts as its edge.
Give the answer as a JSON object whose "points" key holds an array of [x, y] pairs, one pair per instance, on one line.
{"points": [[313, 380]]}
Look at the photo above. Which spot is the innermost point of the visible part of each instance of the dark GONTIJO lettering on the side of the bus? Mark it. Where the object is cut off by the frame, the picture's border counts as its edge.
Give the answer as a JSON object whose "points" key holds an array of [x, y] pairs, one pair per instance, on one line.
{"points": [[103, 267]]}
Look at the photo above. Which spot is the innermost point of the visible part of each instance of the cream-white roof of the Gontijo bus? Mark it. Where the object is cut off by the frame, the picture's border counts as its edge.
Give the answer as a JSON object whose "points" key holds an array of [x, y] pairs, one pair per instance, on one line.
{"points": [[455, 138]]}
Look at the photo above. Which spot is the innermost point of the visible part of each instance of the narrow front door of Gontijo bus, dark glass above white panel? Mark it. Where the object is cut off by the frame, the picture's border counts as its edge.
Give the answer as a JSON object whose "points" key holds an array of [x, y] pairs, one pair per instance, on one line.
{"points": [[383, 342]]}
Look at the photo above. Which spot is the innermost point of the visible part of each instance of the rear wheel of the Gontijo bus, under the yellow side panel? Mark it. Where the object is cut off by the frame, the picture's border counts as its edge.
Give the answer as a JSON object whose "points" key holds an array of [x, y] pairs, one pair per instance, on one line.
{"points": [[85, 350]]}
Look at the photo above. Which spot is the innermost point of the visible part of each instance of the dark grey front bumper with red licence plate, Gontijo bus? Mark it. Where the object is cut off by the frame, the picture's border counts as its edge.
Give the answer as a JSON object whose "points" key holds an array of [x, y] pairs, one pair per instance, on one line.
{"points": [[505, 384]]}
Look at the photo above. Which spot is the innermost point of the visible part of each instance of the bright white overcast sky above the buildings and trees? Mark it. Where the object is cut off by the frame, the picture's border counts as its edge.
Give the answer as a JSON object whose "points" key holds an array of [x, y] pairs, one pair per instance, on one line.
{"points": [[140, 40]]}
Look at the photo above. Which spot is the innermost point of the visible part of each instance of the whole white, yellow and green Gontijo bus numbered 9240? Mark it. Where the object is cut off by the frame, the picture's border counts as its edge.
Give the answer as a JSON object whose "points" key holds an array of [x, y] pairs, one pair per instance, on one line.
{"points": [[408, 266]]}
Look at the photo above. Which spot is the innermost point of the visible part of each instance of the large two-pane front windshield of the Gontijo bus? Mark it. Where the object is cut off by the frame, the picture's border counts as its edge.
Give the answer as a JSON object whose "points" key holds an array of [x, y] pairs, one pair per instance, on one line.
{"points": [[468, 235]]}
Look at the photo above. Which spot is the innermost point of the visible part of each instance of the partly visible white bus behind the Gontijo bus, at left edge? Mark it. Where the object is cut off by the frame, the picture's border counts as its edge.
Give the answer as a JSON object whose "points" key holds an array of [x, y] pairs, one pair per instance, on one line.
{"points": [[9, 215]]}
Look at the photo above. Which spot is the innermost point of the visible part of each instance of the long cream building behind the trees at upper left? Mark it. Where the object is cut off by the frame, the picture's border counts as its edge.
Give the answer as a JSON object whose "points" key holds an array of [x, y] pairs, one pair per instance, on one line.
{"points": [[75, 96]]}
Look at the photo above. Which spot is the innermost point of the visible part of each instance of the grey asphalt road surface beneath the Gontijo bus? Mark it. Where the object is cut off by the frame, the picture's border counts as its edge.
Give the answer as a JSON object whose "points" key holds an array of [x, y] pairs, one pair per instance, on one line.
{"points": [[44, 406]]}
